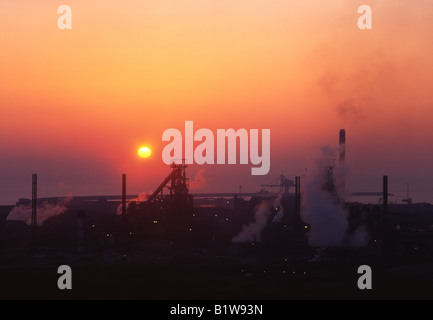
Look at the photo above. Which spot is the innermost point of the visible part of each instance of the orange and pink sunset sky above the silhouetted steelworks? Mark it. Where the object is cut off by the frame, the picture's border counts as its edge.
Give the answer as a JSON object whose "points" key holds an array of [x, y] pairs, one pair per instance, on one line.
{"points": [[75, 105]]}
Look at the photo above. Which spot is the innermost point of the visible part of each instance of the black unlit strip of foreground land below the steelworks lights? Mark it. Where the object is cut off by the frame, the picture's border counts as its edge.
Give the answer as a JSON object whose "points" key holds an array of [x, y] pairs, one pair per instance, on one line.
{"points": [[217, 279]]}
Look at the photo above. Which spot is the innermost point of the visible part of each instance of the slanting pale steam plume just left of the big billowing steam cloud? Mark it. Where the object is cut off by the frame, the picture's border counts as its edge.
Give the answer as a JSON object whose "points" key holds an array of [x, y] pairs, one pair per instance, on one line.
{"points": [[252, 232]]}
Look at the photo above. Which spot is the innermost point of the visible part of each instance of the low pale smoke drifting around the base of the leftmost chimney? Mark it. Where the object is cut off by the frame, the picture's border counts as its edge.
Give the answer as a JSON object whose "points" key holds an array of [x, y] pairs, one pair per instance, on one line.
{"points": [[44, 211]]}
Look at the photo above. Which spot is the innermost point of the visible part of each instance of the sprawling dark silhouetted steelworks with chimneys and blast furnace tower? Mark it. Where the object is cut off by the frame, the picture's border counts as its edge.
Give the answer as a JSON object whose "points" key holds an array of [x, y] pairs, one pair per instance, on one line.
{"points": [[270, 225]]}
